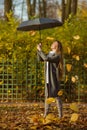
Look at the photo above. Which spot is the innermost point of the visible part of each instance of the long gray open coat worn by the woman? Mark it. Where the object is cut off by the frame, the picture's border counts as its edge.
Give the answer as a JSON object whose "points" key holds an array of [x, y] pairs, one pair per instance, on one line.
{"points": [[51, 89]]}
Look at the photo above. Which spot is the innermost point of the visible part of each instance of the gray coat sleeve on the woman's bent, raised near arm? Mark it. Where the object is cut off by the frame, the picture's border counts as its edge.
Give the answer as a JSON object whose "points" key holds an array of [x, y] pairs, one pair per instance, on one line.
{"points": [[53, 59]]}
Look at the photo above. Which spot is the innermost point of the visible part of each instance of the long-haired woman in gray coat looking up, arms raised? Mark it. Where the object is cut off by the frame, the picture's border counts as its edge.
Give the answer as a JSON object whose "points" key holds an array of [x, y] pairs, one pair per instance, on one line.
{"points": [[53, 73]]}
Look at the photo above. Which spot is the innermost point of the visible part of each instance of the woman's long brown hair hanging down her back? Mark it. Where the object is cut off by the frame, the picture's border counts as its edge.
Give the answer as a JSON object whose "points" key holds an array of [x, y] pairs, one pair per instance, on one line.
{"points": [[60, 65]]}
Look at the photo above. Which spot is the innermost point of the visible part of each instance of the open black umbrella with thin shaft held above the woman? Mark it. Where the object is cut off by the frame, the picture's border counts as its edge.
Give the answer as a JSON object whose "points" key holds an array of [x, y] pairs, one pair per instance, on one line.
{"points": [[39, 24]]}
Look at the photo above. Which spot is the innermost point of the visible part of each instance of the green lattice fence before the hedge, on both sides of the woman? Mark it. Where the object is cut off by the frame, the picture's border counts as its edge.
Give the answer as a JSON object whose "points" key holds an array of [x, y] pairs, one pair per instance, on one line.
{"points": [[23, 80]]}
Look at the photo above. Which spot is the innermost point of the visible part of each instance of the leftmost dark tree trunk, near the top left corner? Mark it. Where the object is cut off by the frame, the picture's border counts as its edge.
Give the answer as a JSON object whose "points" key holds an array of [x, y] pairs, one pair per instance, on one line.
{"points": [[7, 8]]}
